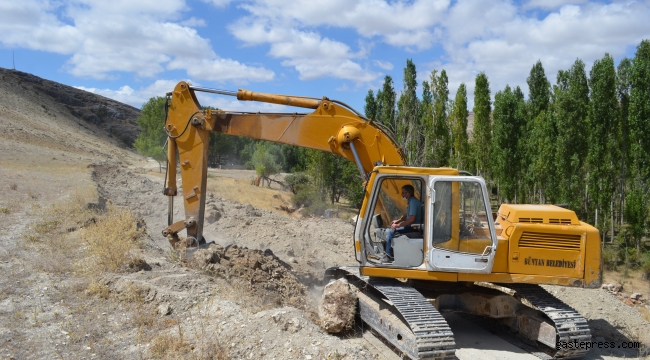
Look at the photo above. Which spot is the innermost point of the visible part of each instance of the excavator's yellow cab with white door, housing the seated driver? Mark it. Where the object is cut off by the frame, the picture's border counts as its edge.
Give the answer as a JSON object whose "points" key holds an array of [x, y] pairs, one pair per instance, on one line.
{"points": [[457, 233]]}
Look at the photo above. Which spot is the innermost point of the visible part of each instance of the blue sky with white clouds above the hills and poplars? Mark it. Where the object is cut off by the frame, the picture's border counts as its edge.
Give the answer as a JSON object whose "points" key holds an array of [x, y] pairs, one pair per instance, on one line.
{"points": [[132, 50]]}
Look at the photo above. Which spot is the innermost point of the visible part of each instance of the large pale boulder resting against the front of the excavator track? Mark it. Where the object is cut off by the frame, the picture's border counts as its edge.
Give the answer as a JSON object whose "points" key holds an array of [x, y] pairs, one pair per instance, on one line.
{"points": [[337, 307]]}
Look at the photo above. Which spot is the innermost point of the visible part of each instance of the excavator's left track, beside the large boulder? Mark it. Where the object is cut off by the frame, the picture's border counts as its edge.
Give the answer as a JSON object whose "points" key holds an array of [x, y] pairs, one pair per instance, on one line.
{"points": [[428, 335]]}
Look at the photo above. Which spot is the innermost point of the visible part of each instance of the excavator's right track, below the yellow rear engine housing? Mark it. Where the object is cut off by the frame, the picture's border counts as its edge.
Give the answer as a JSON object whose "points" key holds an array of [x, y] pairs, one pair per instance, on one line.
{"points": [[571, 327]]}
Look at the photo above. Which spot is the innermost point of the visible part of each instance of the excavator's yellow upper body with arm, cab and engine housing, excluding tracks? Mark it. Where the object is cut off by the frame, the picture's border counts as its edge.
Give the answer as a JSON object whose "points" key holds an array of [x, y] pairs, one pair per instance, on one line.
{"points": [[532, 244]]}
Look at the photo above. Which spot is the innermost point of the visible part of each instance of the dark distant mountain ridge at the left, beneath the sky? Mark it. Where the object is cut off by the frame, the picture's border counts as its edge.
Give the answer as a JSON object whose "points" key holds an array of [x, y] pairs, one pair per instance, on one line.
{"points": [[118, 119]]}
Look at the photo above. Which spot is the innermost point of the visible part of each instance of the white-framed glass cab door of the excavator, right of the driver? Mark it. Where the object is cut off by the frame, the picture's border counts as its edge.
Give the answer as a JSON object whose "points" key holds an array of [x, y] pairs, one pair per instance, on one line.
{"points": [[462, 236]]}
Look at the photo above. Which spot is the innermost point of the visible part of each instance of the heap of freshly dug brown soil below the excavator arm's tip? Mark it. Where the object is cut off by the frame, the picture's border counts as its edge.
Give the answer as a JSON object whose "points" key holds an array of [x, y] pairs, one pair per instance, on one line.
{"points": [[266, 275]]}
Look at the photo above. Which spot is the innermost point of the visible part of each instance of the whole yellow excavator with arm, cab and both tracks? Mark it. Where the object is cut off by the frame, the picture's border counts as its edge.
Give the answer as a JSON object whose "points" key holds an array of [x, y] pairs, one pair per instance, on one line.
{"points": [[461, 258]]}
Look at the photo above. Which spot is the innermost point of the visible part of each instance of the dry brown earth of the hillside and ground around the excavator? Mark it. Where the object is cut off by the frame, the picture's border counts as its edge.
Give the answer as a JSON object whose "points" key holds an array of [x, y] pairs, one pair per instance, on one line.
{"points": [[251, 295]]}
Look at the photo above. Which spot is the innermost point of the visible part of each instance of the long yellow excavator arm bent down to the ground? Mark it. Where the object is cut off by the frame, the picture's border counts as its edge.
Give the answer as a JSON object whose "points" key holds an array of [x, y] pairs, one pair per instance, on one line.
{"points": [[332, 126]]}
